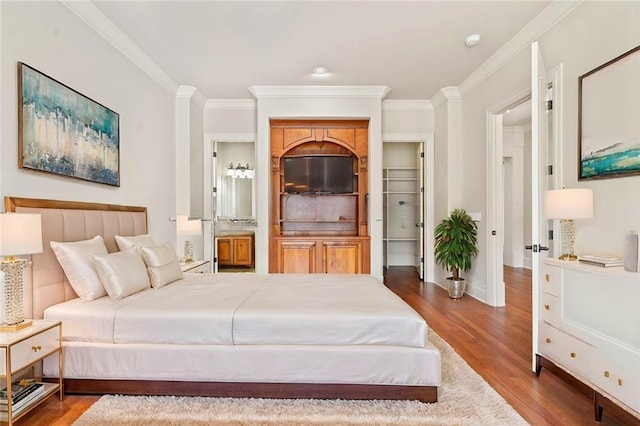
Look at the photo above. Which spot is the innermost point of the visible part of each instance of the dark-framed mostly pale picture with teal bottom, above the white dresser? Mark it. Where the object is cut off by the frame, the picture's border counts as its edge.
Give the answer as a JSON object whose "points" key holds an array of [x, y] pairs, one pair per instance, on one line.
{"points": [[608, 116]]}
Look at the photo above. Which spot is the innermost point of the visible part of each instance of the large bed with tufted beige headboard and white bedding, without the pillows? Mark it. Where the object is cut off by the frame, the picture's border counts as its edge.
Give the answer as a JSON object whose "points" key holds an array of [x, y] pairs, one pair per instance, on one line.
{"points": [[225, 334]]}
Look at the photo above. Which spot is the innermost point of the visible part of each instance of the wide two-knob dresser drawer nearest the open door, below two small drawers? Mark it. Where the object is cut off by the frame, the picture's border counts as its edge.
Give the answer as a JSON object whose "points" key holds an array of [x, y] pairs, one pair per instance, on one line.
{"points": [[565, 350]]}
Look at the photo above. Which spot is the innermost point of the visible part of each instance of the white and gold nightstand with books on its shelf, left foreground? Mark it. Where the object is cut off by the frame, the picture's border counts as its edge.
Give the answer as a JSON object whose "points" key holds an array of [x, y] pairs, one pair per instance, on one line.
{"points": [[22, 349]]}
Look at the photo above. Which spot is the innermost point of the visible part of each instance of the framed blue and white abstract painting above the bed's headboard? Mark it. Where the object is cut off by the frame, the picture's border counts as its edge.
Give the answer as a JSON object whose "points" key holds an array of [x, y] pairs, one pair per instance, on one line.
{"points": [[64, 132]]}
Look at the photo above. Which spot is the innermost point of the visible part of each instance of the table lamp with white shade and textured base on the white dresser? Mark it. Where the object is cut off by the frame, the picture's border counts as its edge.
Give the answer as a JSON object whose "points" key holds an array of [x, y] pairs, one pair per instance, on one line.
{"points": [[568, 204]]}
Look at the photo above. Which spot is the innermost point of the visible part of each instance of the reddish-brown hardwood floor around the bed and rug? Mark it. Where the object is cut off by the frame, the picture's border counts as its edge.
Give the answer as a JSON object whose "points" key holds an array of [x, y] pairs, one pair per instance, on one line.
{"points": [[495, 342]]}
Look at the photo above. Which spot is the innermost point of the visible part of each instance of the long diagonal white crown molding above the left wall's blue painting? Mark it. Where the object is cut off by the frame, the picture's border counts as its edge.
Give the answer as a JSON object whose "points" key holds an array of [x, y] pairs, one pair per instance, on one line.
{"points": [[95, 19]]}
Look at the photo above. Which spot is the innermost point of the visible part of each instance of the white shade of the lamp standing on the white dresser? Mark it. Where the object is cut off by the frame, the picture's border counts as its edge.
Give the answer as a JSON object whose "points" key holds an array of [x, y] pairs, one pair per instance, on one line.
{"points": [[568, 203]]}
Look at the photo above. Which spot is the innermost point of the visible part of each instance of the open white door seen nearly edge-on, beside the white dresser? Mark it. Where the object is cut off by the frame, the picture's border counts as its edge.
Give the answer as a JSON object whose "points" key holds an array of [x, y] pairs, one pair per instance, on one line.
{"points": [[539, 183]]}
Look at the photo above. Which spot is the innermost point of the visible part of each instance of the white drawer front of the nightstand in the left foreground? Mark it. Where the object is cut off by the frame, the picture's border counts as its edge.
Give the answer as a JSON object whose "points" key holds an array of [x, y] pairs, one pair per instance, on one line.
{"points": [[31, 350]]}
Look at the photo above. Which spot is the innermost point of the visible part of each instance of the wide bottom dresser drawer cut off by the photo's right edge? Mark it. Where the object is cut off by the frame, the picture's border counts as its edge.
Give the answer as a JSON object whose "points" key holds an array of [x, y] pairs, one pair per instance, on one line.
{"points": [[617, 374]]}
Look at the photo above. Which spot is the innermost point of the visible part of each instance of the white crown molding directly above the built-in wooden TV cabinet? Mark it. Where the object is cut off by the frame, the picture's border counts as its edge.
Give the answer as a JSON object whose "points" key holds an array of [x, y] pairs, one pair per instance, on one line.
{"points": [[338, 92]]}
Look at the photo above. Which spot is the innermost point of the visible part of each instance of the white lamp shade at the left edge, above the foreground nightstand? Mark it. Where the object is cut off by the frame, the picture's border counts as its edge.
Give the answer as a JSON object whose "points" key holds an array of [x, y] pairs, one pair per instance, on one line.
{"points": [[20, 233]]}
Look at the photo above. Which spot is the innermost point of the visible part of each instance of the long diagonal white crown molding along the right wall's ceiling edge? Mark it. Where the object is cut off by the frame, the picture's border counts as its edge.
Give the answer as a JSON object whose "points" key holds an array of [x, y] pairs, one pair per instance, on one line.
{"points": [[544, 21]]}
